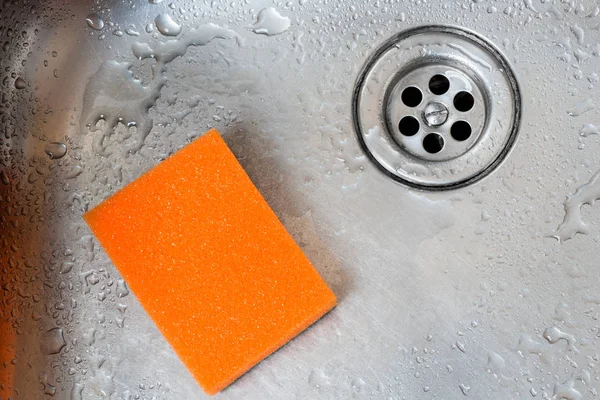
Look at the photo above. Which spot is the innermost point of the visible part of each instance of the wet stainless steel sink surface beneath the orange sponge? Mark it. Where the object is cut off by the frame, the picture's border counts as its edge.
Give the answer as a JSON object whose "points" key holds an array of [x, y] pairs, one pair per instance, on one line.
{"points": [[488, 290]]}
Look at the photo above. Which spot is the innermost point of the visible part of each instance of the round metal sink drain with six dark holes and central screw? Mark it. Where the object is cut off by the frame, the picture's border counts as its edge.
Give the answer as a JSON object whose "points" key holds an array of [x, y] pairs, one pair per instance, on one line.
{"points": [[437, 107]]}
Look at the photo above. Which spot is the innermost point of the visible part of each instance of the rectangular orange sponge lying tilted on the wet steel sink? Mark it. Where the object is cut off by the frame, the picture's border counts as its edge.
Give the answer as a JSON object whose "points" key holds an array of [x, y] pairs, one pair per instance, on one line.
{"points": [[210, 262]]}
